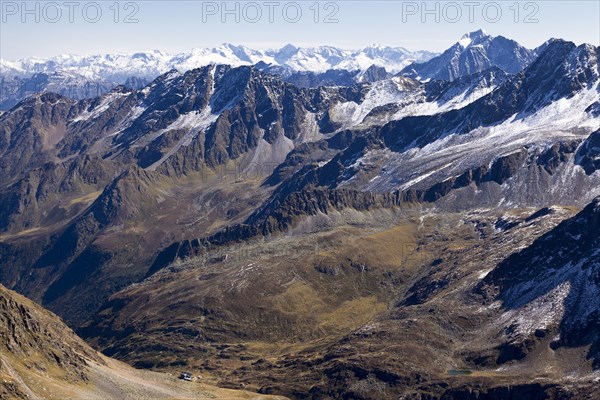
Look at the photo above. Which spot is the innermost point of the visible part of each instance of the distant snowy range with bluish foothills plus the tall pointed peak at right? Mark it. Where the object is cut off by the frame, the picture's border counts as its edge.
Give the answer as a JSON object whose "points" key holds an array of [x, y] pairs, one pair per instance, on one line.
{"points": [[81, 77]]}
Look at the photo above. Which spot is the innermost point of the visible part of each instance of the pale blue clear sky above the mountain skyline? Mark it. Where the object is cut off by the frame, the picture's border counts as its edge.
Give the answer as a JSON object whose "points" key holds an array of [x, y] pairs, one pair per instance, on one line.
{"points": [[174, 26]]}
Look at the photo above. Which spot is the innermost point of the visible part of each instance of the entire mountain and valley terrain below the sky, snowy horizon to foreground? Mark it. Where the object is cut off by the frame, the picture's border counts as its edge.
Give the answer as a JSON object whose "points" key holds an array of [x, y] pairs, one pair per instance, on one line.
{"points": [[307, 223]]}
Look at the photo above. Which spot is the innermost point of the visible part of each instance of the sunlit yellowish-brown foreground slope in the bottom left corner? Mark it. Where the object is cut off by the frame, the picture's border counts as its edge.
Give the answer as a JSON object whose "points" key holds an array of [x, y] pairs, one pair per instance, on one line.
{"points": [[41, 358]]}
